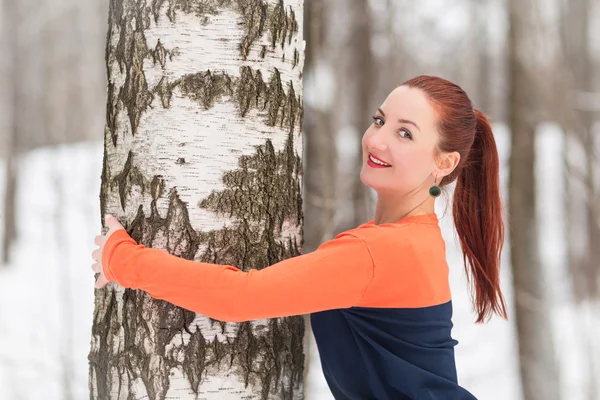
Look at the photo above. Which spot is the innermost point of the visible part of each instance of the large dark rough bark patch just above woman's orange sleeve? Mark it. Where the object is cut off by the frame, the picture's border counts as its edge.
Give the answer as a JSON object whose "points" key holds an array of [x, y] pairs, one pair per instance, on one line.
{"points": [[263, 193]]}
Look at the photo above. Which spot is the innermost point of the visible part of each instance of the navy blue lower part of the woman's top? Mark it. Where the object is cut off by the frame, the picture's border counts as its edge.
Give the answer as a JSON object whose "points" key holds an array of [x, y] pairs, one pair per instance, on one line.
{"points": [[388, 353]]}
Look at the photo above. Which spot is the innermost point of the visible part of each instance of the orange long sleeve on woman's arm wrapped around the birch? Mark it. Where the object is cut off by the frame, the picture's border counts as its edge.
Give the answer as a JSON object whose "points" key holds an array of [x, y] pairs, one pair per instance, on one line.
{"points": [[336, 275]]}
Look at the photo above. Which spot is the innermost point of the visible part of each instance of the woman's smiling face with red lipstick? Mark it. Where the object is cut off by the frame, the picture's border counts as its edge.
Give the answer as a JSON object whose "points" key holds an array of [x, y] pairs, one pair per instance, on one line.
{"points": [[403, 135]]}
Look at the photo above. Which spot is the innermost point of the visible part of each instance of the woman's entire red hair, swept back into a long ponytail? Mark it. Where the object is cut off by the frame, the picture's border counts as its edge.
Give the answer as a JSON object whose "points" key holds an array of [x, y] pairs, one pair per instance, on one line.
{"points": [[477, 208]]}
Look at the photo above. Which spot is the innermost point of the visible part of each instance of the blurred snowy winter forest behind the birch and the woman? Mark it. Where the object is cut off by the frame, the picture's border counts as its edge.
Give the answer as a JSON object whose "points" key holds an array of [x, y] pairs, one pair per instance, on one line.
{"points": [[531, 65]]}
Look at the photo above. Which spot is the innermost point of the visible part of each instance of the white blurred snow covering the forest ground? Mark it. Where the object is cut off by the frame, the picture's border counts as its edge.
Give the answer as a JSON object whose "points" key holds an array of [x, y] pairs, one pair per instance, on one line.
{"points": [[46, 294]]}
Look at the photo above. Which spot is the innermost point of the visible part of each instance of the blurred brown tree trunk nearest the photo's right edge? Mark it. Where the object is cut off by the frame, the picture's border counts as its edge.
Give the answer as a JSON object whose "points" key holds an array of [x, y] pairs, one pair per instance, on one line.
{"points": [[578, 124]]}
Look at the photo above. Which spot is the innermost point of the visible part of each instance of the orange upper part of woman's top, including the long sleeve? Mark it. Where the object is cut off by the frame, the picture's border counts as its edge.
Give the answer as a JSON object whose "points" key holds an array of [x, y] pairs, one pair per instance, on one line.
{"points": [[387, 265]]}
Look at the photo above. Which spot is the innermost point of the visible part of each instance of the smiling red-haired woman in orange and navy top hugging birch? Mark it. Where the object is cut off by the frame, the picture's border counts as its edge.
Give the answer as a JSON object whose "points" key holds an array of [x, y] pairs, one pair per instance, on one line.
{"points": [[378, 294]]}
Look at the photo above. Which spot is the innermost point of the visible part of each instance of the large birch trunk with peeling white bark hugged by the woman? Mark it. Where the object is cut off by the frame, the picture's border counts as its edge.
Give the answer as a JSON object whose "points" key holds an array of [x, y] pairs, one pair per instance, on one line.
{"points": [[203, 159]]}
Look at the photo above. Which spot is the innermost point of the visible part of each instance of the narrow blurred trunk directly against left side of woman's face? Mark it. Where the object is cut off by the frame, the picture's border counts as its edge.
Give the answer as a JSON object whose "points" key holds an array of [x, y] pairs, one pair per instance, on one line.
{"points": [[364, 80]]}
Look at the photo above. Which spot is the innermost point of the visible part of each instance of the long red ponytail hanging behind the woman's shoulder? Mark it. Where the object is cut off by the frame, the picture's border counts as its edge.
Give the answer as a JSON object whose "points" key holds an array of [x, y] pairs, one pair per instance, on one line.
{"points": [[477, 212]]}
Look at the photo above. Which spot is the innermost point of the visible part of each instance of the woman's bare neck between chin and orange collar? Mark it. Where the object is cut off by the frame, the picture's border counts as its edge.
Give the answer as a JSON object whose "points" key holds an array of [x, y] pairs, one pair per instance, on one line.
{"points": [[391, 210]]}
